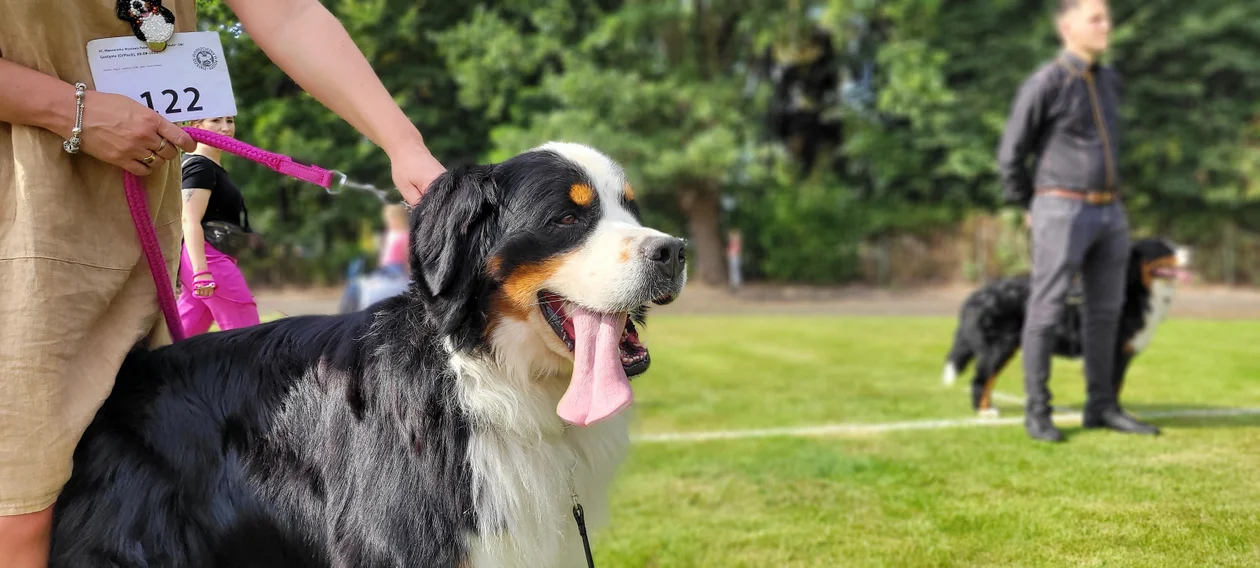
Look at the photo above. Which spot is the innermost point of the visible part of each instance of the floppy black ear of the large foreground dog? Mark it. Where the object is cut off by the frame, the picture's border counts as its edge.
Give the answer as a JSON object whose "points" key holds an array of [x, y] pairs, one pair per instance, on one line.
{"points": [[453, 232]]}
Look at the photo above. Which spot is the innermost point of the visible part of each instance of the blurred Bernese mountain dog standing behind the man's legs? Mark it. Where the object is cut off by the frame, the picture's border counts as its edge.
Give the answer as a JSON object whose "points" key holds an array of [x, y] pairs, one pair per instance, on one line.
{"points": [[991, 322]]}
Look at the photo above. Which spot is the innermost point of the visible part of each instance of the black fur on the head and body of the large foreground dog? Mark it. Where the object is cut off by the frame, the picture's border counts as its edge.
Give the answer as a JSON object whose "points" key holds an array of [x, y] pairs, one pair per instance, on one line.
{"points": [[318, 441]]}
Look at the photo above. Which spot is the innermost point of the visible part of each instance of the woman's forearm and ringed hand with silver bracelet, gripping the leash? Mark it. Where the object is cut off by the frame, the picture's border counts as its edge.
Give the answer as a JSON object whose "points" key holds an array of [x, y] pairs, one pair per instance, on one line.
{"points": [[117, 129]]}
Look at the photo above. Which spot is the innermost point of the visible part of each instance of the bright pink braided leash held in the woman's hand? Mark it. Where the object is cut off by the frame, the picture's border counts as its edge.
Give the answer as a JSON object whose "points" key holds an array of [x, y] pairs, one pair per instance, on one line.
{"points": [[139, 206]]}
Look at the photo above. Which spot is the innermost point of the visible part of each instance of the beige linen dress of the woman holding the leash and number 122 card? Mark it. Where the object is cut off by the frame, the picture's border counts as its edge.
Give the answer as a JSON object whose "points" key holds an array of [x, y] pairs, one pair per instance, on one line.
{"points": [[75, 292]]}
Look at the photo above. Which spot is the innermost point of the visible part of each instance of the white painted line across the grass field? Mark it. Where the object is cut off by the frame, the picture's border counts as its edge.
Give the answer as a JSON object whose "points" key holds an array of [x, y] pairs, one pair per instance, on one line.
{"points": [[880, 428]]}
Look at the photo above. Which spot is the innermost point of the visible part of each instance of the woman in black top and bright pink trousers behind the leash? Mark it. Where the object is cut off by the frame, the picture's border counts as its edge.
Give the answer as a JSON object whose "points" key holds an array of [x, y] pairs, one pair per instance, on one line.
{"points": [[212, 289]]}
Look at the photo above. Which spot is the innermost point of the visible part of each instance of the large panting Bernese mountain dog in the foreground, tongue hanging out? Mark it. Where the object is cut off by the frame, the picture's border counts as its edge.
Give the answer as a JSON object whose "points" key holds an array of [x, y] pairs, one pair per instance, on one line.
{"points": [[455, 425]]}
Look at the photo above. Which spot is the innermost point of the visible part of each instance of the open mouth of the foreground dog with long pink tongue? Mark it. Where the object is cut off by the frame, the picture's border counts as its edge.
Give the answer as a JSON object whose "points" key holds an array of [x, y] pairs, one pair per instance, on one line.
{"points": [[607, 353]]}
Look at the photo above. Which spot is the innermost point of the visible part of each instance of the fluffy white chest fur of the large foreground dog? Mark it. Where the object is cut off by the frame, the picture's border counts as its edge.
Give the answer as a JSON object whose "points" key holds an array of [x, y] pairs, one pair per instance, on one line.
{"points": [[527, 465]]}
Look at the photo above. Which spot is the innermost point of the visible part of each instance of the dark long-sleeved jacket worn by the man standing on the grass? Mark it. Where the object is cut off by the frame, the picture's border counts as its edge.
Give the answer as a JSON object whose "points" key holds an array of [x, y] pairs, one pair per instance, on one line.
{"points": [[1068, 118]]}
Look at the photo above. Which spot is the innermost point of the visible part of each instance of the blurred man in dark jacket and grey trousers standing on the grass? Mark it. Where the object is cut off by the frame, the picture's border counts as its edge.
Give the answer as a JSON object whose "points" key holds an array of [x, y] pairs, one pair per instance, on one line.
{"points": [[1067, 119]]}
